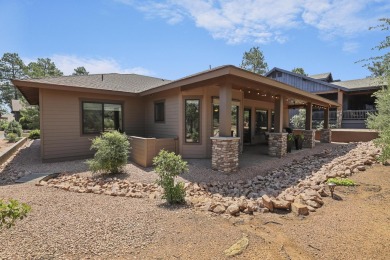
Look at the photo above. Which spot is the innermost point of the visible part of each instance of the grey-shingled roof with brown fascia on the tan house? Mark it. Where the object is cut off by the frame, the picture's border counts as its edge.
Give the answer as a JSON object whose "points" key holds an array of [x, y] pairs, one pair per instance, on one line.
{"points": [[132, 84]]}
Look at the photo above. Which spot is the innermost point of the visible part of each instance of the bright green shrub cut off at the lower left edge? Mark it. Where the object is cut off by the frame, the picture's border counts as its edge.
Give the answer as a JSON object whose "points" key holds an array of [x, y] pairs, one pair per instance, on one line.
{"points": [[11, 211]]}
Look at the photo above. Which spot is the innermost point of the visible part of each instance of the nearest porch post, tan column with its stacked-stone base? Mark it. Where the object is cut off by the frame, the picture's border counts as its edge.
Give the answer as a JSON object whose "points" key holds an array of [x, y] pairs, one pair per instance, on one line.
{"points": [[225, 148]]}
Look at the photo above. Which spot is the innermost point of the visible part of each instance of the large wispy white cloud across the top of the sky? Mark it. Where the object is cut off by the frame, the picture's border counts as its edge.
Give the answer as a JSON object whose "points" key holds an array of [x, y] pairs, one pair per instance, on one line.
{"points": [[264, 21]]}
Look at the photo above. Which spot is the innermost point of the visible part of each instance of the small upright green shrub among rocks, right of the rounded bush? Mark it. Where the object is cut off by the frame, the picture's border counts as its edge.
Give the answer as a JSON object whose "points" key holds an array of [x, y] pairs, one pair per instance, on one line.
{"points": [[168, 165]]}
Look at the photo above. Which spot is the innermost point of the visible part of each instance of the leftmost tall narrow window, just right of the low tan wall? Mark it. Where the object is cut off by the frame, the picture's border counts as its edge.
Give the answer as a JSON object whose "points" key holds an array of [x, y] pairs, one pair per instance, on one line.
{"points": [[192, 121]]}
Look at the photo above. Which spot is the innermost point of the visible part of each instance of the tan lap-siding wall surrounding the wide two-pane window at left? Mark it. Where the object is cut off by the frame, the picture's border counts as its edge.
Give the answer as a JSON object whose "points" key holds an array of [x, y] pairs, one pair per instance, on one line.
{"points": [[61, 122]]}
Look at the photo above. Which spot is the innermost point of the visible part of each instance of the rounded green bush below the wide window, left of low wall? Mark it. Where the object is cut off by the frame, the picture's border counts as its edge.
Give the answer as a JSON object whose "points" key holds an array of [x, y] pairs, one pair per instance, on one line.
{"points": [[112, 150]]}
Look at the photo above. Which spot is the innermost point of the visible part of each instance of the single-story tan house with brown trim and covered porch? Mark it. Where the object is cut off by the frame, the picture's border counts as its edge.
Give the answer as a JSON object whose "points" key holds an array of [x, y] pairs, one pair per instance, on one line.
{"points": [[225, 104]]}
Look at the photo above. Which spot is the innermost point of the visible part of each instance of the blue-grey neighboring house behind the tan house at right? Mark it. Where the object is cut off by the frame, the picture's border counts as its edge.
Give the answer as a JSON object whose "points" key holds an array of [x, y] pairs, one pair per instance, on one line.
{"points": [[354, 96]]}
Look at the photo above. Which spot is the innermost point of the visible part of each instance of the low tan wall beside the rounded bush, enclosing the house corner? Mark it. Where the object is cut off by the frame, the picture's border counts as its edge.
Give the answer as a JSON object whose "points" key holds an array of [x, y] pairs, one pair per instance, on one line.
{"points": [[143, 150]]}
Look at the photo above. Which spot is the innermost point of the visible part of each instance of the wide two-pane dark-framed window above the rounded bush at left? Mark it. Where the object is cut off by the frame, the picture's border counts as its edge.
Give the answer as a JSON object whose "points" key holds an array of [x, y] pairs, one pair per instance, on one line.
{"points": [[100, 117]]}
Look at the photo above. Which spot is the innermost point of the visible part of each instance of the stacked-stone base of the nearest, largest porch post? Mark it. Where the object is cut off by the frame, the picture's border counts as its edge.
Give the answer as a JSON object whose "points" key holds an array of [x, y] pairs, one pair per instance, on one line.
{"points": [[224, 155]]}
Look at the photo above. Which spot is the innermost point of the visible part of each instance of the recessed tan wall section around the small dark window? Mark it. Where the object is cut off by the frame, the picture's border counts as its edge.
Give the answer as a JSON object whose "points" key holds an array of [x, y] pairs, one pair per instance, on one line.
{"points": [[170, 127]]}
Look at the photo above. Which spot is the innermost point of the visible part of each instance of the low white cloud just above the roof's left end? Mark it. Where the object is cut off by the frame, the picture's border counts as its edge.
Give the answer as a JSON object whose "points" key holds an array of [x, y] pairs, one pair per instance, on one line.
{"points": [[67, 64]]}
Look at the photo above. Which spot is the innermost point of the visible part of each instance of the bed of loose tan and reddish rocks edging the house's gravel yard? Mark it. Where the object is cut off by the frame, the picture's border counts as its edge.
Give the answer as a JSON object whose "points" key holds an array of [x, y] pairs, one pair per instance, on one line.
{"points": [[297, 186]]}
